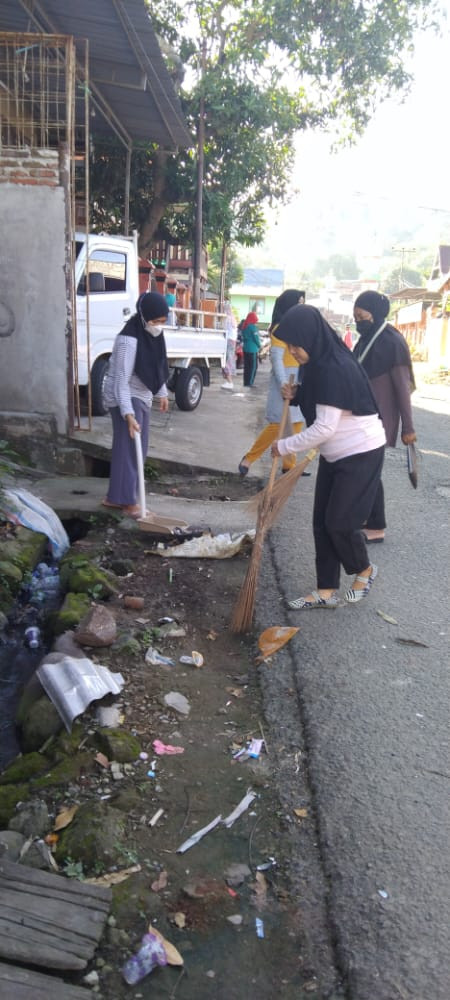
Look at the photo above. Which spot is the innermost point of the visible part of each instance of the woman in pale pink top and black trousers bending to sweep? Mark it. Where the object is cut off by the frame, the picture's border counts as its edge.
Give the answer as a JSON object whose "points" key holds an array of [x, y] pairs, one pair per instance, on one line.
{"points": [[343, 423]]}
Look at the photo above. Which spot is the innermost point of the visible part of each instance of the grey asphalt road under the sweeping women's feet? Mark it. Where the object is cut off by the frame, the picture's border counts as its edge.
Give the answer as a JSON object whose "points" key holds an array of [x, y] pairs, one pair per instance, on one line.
{"points": [[372, 735]]}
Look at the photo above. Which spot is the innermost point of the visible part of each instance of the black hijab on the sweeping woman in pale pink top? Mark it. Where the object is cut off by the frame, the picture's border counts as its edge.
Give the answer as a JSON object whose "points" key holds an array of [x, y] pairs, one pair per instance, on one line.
{"points": [[332, 376]]}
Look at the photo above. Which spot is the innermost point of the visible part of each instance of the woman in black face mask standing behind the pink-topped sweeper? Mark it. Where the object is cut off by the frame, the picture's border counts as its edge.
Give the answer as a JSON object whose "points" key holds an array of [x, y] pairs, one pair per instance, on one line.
{"points": [[384, 354]]}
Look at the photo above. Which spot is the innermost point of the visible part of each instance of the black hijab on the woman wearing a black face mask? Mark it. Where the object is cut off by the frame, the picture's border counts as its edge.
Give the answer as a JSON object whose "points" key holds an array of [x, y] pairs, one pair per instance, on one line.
{"points": [[390, 349]]}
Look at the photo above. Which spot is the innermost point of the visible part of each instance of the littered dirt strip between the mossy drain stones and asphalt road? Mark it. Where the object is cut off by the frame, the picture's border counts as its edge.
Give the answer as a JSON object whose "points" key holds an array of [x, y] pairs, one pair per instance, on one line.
{"points": [[224, 959]]}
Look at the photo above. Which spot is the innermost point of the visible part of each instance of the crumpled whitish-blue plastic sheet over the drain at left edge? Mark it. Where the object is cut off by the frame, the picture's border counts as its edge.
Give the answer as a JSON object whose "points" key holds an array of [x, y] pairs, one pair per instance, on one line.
{"points": [[29, 511]]}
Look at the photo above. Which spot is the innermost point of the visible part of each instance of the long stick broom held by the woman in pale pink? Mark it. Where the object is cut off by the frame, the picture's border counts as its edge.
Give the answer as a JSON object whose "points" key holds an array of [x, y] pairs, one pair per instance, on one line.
{"points": [[245, 605]]}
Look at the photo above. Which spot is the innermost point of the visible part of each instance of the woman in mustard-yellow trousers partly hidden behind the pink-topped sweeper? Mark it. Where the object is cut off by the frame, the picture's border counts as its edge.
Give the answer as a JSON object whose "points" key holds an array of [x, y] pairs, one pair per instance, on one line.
{"points": [[283, 365]]}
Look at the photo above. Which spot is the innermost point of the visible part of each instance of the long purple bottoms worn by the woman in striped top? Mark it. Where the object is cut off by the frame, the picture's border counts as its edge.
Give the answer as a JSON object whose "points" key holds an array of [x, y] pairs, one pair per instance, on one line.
{"points": [[123, 477]]}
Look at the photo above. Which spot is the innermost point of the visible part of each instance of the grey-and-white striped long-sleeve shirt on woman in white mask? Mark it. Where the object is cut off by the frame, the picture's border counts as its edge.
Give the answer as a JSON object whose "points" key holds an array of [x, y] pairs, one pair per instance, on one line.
{"points": [[121, 382]]}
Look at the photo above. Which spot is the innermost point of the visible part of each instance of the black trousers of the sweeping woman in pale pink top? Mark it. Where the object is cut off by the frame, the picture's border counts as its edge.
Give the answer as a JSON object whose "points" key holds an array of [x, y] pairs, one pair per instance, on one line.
{"points": [[344, 496]]}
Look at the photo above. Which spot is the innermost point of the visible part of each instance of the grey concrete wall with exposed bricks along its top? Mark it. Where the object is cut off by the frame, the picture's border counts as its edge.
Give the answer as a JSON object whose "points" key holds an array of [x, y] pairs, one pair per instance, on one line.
{"points": [[33, 306]]}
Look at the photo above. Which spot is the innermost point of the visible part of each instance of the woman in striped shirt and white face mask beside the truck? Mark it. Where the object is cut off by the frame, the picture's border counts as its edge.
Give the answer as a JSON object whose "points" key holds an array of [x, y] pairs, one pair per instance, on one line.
{"points": [[138, 370]]}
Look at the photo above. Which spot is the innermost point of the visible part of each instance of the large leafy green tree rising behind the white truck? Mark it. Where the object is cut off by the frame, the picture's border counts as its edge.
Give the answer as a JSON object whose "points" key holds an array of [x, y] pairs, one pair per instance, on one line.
{"points": [[272, 68]]}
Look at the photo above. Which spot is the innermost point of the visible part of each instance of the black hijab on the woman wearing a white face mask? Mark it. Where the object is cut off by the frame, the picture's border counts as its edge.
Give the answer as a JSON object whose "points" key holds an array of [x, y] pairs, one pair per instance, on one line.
{"points": [[151, 357]]}
